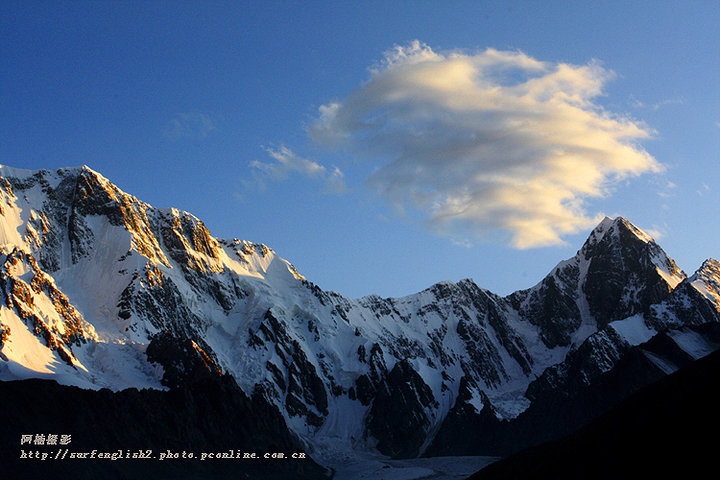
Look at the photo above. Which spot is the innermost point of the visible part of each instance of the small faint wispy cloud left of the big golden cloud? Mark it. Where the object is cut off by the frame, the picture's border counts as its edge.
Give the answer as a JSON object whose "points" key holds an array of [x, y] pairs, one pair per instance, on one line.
{"points": [[285, 162]]}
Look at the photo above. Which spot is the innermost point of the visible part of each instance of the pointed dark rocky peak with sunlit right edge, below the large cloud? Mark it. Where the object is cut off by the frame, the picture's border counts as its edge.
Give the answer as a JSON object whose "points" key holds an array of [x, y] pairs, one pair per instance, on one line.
{"points": [[620, 271]]}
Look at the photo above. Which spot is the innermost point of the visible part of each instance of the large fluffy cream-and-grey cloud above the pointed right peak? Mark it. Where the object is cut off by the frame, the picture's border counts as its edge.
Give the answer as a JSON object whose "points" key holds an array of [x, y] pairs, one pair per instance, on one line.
{"points": [[487, 143]]}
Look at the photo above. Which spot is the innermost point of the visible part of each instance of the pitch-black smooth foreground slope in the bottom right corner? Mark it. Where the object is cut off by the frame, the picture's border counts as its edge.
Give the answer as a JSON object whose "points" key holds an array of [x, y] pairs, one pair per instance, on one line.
{"points": [[660, 432]]}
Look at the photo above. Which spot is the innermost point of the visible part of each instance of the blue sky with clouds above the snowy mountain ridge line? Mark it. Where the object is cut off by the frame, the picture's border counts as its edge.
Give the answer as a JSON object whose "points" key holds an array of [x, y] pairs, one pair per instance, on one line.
{"points": [[383, 146]]}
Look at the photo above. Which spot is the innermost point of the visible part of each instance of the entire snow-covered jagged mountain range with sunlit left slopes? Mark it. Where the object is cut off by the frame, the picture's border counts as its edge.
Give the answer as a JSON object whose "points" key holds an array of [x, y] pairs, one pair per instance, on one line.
{"points": [[94, 281]]}
